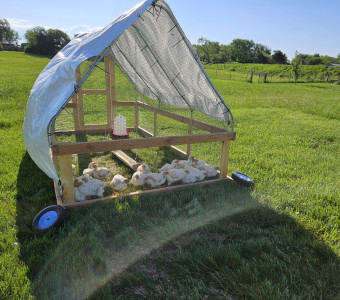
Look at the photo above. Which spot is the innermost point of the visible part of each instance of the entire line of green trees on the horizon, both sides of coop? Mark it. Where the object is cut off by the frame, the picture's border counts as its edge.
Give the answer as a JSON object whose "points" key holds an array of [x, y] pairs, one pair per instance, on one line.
{"points": [[50, 41]]}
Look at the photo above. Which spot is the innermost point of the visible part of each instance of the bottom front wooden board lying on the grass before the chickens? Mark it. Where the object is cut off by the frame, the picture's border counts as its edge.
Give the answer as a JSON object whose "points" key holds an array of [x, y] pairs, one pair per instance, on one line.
{"points": [[149, 192]]}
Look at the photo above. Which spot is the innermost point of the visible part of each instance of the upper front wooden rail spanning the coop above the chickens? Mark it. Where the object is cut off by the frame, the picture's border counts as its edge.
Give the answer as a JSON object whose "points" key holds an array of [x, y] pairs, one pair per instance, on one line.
{"points": [[125, 144]]}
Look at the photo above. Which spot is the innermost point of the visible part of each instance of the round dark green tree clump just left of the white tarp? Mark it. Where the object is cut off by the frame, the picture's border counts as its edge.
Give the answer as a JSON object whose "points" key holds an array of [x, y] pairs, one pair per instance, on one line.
{"points": [[42, 41]]}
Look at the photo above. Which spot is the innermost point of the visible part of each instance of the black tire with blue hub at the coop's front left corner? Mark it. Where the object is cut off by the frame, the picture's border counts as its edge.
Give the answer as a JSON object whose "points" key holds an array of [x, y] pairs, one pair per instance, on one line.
{"points": [[50, 217]]}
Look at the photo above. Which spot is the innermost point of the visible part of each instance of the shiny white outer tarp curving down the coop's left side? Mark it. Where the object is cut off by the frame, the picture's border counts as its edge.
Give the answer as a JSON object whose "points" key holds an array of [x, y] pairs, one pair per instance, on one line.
{"points": [[56, 83]]}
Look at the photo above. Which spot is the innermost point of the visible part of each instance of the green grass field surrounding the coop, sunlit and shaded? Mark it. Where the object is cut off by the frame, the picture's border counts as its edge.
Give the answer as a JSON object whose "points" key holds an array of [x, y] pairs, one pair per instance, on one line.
{"points": [[279, 240]]}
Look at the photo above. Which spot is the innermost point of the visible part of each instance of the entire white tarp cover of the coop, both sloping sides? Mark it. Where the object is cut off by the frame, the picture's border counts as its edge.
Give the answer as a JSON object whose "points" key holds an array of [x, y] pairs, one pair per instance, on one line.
{"points": [[151, 49]]}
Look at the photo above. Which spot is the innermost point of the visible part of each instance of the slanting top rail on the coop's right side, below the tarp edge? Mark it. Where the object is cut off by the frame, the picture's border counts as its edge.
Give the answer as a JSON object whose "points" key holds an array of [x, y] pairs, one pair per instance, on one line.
{"points": [[185, 120]]}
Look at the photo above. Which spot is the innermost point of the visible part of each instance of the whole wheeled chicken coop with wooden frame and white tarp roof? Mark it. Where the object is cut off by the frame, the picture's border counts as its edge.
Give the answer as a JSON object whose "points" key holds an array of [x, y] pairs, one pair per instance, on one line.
{"points": [[82, 104]]}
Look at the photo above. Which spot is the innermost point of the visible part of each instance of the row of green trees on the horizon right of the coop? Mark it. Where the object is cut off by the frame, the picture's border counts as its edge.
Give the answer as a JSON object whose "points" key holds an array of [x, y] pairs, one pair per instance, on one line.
{"points": [[247, 51]]}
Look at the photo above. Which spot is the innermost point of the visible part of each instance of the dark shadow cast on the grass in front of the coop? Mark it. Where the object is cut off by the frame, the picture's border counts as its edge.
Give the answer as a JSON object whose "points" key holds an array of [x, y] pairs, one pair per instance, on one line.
{"points": [[213, 241]]}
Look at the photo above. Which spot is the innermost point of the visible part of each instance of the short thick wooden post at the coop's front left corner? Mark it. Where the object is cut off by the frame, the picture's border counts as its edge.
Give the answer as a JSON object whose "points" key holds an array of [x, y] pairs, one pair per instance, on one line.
{"points": [[66, 178]]}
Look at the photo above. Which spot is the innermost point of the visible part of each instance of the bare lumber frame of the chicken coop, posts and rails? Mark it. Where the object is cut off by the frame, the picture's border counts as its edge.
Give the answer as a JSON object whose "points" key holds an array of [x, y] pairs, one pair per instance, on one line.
{"points": [[64, 151]]}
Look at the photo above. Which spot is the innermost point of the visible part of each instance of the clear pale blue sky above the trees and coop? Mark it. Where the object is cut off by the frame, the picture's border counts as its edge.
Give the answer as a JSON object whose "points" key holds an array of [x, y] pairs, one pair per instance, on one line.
{"points": [[306, 26]]}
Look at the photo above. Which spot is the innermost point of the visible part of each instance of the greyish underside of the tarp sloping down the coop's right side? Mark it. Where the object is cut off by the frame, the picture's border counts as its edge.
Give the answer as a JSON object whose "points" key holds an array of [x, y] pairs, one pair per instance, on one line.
{"points": [[159, 59]]}
